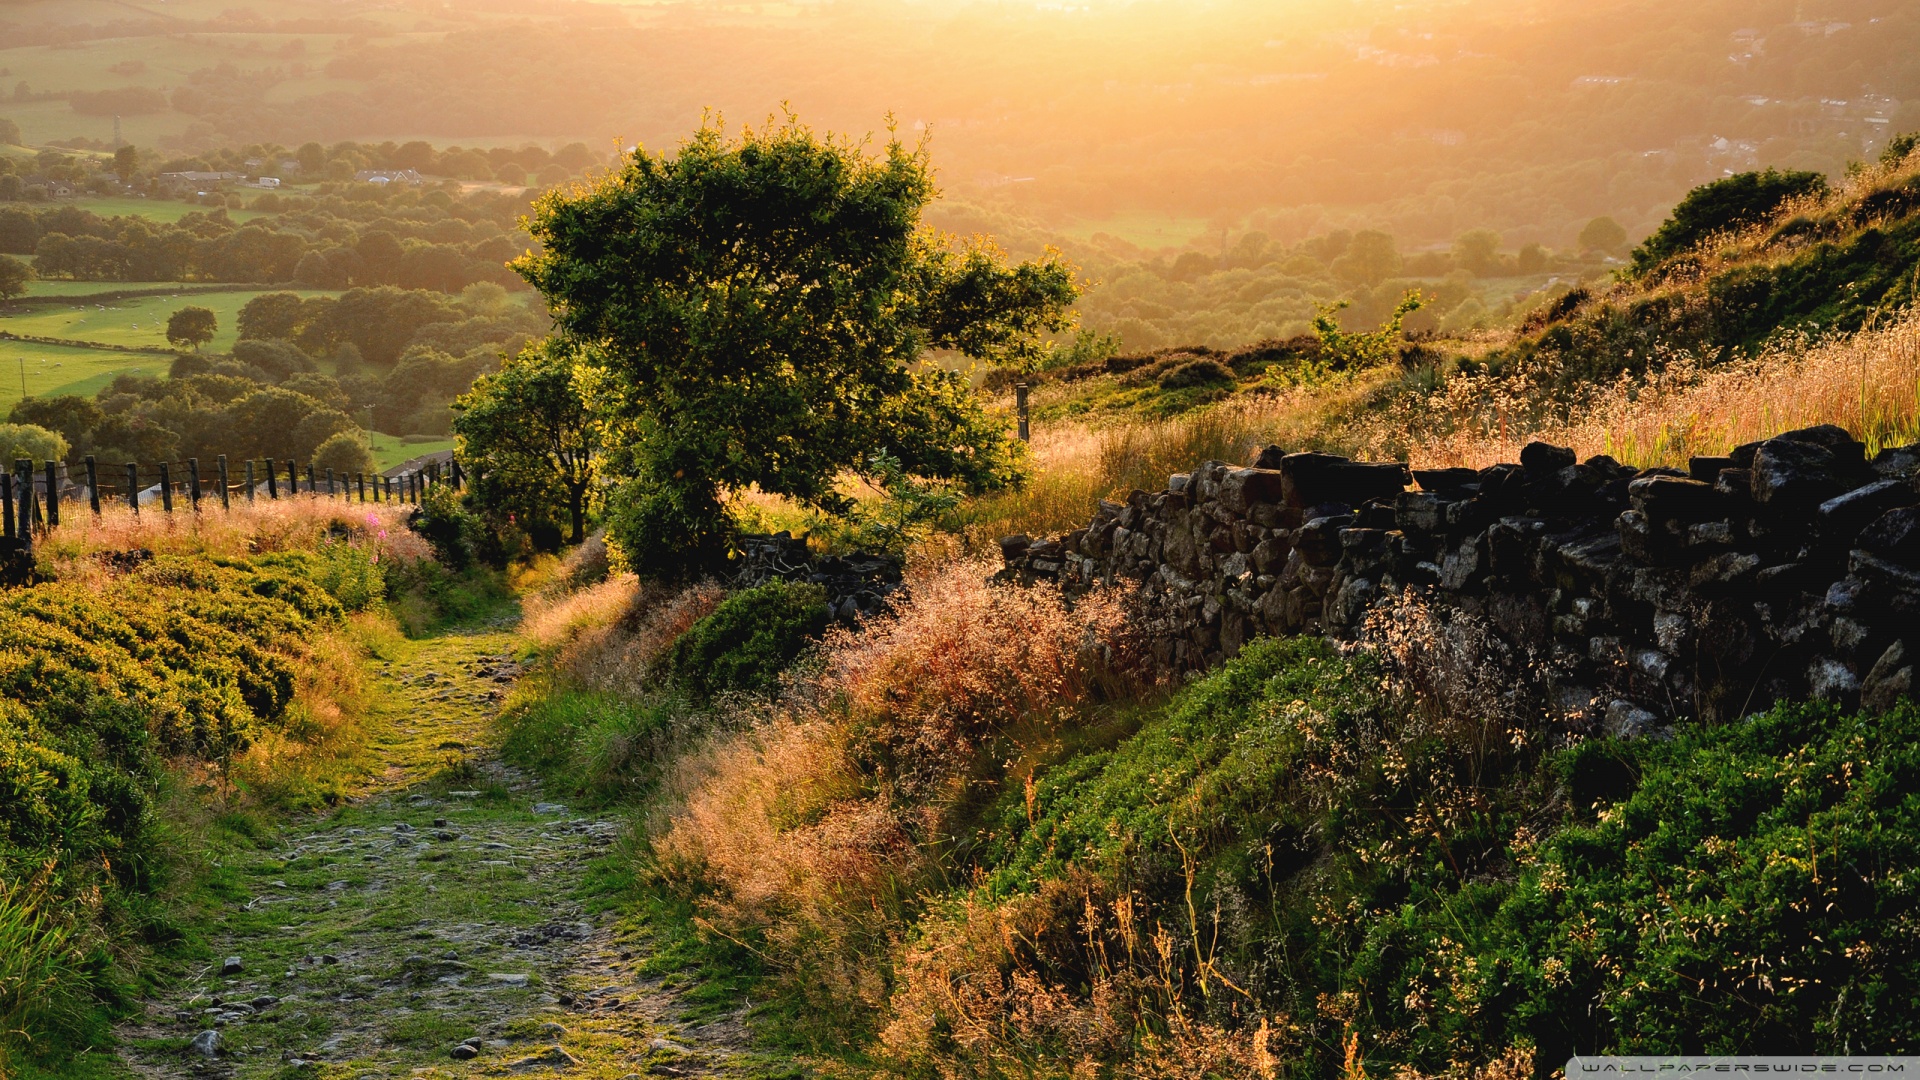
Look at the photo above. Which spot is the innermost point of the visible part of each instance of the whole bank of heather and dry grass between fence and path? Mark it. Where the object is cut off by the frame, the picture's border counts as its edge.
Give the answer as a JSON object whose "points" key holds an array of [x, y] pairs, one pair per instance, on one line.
{"points": [[158, 675]]}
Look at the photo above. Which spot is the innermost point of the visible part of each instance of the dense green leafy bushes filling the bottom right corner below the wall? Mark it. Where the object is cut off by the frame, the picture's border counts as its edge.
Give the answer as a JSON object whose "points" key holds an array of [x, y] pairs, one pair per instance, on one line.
{"points": [[1758, 879]]}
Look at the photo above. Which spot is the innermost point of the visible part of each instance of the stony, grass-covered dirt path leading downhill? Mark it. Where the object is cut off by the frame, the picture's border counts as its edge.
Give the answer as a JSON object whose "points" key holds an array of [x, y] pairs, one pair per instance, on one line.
{"points": [[433, 927]]}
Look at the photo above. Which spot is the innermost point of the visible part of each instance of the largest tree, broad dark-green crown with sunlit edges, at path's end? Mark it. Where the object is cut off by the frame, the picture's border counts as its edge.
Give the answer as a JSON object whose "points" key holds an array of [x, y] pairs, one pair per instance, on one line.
{"points": [[761, 312]]}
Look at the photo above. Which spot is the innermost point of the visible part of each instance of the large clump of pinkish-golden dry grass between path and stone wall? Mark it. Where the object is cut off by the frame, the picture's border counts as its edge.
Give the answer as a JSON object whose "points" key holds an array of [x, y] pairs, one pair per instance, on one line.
{"points": [[823, 822]]}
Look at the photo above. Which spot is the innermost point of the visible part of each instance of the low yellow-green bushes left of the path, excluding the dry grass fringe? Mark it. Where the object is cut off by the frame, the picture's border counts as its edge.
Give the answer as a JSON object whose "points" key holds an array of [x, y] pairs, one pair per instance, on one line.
{"points": [[183, 660]]}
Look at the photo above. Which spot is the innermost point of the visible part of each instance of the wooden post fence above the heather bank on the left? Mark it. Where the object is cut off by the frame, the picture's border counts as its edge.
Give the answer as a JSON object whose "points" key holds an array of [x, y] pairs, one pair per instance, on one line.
{"points": [[32, 504]]}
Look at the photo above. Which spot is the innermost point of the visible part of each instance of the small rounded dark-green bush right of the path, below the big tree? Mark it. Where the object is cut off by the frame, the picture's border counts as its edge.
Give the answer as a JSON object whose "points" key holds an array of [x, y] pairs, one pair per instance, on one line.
{"points": [[746, 643]]}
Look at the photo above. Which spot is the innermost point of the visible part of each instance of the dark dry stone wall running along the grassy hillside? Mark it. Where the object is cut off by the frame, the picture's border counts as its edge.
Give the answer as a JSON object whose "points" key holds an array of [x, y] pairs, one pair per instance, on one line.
{"points": [[1785, 570]]}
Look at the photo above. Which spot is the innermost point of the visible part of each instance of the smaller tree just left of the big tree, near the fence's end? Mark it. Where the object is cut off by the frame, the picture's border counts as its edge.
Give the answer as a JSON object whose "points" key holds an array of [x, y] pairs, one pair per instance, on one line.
{"points": [[531, 439]]}
